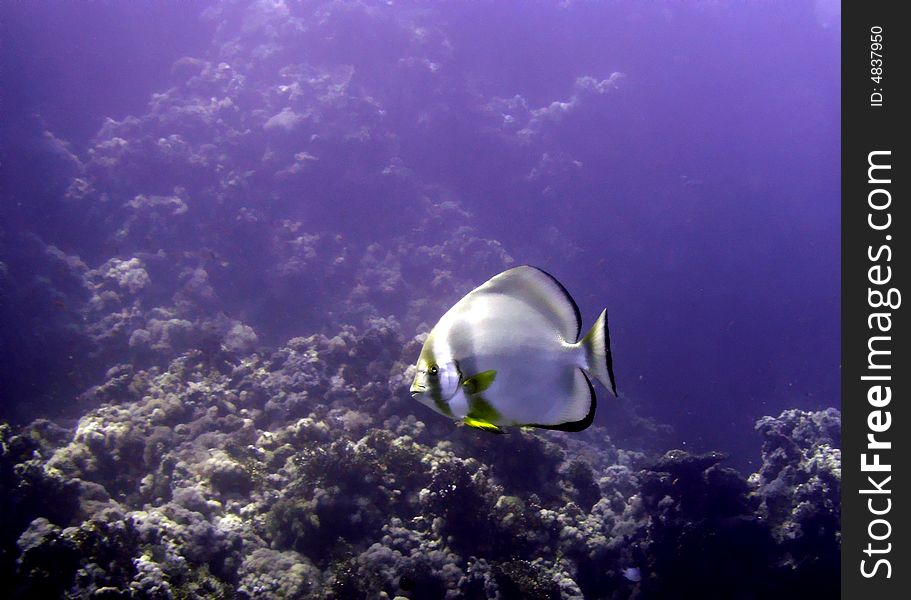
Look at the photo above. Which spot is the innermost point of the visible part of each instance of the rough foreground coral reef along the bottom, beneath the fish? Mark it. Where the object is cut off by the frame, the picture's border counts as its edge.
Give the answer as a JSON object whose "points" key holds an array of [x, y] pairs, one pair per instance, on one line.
{"points": [[301, 473]]}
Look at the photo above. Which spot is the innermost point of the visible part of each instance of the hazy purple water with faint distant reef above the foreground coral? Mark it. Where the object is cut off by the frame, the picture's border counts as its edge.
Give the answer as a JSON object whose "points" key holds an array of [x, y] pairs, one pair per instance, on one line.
{"points": [[675, 162]]}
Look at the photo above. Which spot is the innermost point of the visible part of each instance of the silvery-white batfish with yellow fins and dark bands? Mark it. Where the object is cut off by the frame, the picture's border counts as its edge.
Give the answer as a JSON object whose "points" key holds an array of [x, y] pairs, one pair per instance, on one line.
{"points": [[509, 354]]}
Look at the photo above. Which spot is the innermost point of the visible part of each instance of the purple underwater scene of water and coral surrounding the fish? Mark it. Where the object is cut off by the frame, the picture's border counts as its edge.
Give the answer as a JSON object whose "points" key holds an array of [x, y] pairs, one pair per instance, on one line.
{"points": [[225, 228]]}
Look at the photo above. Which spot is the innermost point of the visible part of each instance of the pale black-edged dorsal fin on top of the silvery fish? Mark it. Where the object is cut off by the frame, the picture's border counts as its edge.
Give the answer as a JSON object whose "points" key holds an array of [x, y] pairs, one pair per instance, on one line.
{"points": [[543, 293]]}
